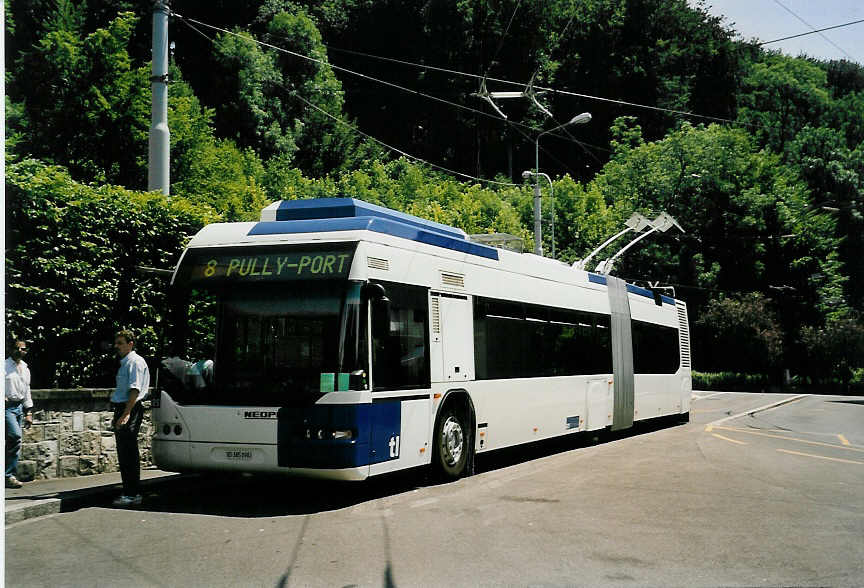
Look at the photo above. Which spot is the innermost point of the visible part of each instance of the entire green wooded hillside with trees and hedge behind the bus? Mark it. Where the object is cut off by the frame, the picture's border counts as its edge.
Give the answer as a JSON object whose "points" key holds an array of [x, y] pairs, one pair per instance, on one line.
{"points": [[773, 206]]}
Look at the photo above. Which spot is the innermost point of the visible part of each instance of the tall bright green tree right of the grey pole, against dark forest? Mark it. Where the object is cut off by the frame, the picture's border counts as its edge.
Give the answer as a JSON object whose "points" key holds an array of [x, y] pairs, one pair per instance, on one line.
{"points": [[263, 110]]}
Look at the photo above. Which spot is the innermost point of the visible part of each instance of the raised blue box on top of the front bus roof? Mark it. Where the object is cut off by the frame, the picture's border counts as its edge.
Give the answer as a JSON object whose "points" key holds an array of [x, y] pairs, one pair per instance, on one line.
{"points": [[324, 208]]}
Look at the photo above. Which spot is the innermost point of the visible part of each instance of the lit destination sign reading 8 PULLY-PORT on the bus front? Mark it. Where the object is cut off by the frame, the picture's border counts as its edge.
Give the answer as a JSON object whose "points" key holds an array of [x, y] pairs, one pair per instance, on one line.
{"points": [[252, 265]]}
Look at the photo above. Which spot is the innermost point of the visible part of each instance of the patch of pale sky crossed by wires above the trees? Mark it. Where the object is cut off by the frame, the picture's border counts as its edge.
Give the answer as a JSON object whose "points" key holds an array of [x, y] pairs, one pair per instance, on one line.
{"points": [[768, 20]]}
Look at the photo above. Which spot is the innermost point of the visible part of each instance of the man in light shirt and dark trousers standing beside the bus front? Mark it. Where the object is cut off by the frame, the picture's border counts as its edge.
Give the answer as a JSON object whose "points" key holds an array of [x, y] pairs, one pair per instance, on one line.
{"points": [[133, 381]]}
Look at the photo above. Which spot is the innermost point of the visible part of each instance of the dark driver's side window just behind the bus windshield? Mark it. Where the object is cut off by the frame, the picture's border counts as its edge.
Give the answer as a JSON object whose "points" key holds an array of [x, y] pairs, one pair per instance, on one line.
{"points": [[399, 358]]}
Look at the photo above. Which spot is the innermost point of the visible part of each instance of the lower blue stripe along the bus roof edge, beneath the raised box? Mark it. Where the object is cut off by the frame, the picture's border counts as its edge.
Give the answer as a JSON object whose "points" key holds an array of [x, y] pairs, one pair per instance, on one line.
{"points": [[378, 225]]}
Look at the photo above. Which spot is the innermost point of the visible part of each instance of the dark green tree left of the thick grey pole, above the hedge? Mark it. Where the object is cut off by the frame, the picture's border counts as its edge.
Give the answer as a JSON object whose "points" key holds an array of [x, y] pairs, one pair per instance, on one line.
{"points": [[84, 104]]}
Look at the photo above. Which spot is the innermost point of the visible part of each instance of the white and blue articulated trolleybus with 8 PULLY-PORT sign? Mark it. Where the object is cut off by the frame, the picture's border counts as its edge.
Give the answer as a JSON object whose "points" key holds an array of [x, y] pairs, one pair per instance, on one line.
{"points": [[339, 339]]}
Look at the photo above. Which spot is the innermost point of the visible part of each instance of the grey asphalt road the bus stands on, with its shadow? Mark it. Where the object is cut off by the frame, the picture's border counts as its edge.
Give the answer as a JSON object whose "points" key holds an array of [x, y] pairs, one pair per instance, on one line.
{"points": [[776, 498]]}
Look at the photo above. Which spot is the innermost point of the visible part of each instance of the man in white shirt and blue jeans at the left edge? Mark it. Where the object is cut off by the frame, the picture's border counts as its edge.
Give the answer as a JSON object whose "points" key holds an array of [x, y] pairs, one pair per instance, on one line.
{"points": [[19, 406]]}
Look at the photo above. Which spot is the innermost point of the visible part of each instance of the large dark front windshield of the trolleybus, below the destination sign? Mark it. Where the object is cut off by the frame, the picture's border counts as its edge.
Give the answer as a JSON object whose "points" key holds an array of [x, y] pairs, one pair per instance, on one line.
{"points": [[266, 344]]}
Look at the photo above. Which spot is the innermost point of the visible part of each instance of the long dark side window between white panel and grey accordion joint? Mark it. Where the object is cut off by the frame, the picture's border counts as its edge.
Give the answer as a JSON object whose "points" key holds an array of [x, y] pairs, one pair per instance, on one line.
{"points": [[515, 340]]}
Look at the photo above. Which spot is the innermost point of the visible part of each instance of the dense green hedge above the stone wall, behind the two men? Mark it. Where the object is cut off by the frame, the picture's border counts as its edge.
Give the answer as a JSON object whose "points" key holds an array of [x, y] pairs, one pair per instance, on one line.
{"points": [[71, 255]]}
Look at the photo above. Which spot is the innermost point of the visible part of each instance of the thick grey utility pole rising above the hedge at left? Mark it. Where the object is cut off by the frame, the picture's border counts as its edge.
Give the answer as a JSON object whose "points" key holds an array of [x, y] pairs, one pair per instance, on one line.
{"points": [[158, 178]]}
